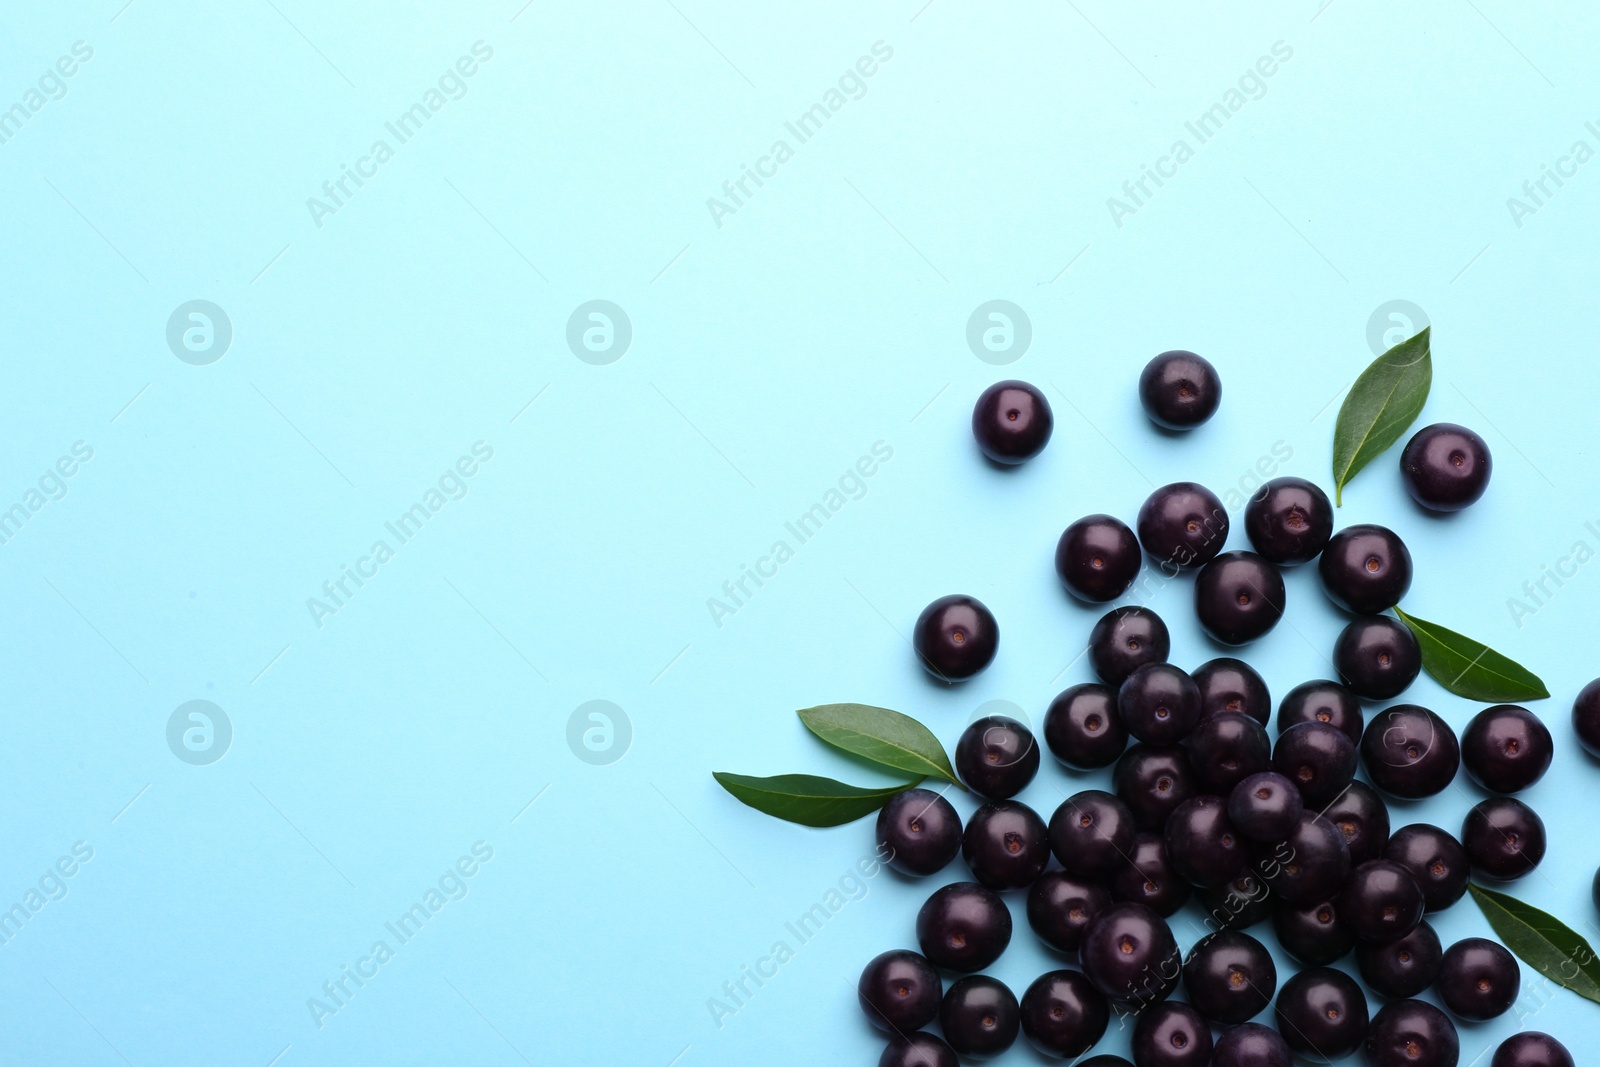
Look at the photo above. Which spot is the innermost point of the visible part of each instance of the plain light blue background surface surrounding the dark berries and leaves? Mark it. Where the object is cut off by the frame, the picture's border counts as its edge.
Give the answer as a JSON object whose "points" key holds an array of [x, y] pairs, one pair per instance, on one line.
{"points": [[769, 354]]}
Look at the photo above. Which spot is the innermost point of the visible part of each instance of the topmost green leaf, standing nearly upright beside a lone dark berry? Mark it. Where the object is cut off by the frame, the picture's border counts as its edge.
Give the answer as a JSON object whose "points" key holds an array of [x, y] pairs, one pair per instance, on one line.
{"points": [[1383, 402]]}
